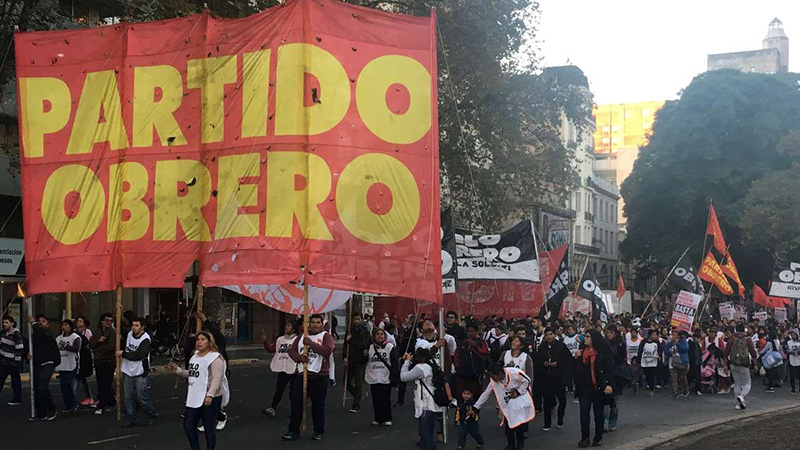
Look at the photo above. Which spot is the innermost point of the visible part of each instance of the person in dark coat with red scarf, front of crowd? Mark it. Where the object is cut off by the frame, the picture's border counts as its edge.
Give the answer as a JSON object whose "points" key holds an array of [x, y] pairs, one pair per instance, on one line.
{"points": [[594, 380]]}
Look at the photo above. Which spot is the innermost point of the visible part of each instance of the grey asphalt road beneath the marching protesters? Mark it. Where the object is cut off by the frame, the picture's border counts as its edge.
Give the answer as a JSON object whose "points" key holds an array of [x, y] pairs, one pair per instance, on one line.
{"points": [[252, 387]]}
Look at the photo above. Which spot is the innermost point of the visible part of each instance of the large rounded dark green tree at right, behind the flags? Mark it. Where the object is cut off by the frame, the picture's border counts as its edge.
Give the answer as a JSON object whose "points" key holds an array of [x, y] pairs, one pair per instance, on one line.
{"points": [[721, 136]]}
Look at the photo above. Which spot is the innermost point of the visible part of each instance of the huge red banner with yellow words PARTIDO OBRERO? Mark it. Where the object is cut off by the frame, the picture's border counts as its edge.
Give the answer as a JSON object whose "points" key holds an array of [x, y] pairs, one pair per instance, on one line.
{"points": [[301, 139]]}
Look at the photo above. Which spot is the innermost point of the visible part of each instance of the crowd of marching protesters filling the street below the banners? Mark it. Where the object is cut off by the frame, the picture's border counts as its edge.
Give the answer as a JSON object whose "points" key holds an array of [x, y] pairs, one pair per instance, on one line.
{"points": [[524, 366]]}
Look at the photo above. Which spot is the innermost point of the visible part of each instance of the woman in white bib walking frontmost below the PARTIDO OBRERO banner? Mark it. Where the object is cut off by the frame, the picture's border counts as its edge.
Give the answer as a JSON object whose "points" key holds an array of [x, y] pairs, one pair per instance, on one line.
{"points": [[208, 390]]}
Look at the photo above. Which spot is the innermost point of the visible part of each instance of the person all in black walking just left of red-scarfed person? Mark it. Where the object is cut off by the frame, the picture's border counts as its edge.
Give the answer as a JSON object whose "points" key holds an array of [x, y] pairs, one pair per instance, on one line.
{"points": [[552, 359]]}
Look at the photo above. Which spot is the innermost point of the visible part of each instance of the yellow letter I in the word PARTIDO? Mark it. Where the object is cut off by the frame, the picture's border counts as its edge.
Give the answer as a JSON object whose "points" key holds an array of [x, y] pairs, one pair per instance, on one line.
{"points": [[255, 93]]}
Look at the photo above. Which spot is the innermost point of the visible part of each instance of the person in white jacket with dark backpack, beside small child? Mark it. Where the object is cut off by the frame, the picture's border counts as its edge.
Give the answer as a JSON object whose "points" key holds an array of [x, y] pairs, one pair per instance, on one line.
{"points": [[425, 408]]}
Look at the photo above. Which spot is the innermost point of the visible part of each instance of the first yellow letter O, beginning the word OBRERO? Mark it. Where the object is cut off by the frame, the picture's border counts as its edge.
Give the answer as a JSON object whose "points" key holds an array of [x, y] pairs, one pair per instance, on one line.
{"points": [[63, 181]]}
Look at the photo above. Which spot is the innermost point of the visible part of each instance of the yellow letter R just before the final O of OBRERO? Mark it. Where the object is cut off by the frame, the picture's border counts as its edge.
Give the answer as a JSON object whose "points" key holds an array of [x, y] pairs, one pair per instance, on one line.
{"points": [[285, 201]]}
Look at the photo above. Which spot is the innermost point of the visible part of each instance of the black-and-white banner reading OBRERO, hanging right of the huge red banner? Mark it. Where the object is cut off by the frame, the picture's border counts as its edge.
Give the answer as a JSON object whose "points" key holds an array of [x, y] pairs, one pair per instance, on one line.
{"points": [[508, 256]]}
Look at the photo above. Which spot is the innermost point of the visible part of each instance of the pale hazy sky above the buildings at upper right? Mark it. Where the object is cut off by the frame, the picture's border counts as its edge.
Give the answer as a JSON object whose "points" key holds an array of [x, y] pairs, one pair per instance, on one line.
{"points": [[636, 50]]}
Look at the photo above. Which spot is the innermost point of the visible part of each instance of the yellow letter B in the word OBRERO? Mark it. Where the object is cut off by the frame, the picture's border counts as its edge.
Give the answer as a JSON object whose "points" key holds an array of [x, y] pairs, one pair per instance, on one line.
{"points": [[120, 199]]}
